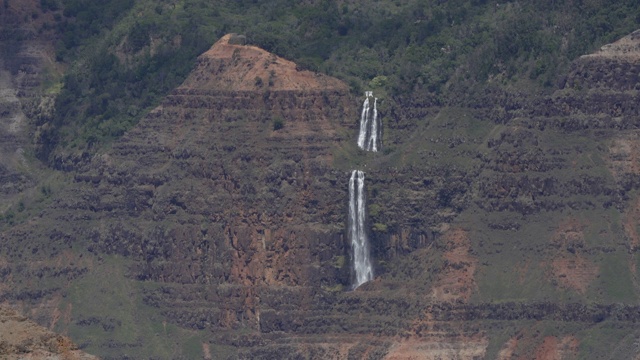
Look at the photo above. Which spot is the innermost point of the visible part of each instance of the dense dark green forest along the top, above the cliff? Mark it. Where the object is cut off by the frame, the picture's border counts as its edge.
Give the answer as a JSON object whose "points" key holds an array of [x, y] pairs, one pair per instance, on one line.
{"points": [[130, 53]]}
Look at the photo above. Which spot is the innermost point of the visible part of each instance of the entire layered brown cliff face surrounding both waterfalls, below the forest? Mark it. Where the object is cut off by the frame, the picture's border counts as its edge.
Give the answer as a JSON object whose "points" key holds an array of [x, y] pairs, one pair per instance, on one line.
{"points": [[502, 228]]}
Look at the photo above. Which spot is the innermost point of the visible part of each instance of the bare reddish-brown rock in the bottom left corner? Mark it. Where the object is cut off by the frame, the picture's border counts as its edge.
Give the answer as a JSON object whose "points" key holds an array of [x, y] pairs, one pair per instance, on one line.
{"points": [[21, 338]]}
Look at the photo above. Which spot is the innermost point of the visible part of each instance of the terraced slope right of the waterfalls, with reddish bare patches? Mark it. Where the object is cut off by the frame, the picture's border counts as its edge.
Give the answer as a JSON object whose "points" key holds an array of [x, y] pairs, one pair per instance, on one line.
{"points": [[501, 230]]}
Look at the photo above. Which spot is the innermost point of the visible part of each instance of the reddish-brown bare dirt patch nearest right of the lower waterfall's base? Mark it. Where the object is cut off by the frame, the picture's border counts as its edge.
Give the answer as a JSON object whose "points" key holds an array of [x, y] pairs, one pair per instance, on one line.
{"points": [[456, 280]]}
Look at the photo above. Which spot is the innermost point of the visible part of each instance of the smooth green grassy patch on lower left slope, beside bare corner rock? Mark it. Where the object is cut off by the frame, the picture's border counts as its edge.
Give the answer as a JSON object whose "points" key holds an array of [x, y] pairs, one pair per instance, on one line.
{"points": [[108, 309]]}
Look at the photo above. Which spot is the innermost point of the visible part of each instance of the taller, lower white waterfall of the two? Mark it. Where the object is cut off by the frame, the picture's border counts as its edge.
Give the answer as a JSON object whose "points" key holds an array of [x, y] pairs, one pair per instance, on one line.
{"points": [[357, 230]]}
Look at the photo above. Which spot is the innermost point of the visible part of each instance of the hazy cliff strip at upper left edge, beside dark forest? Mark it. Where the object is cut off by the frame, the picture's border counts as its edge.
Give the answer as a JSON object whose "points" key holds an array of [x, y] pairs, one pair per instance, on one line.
{"points": [[26, 51]]}
